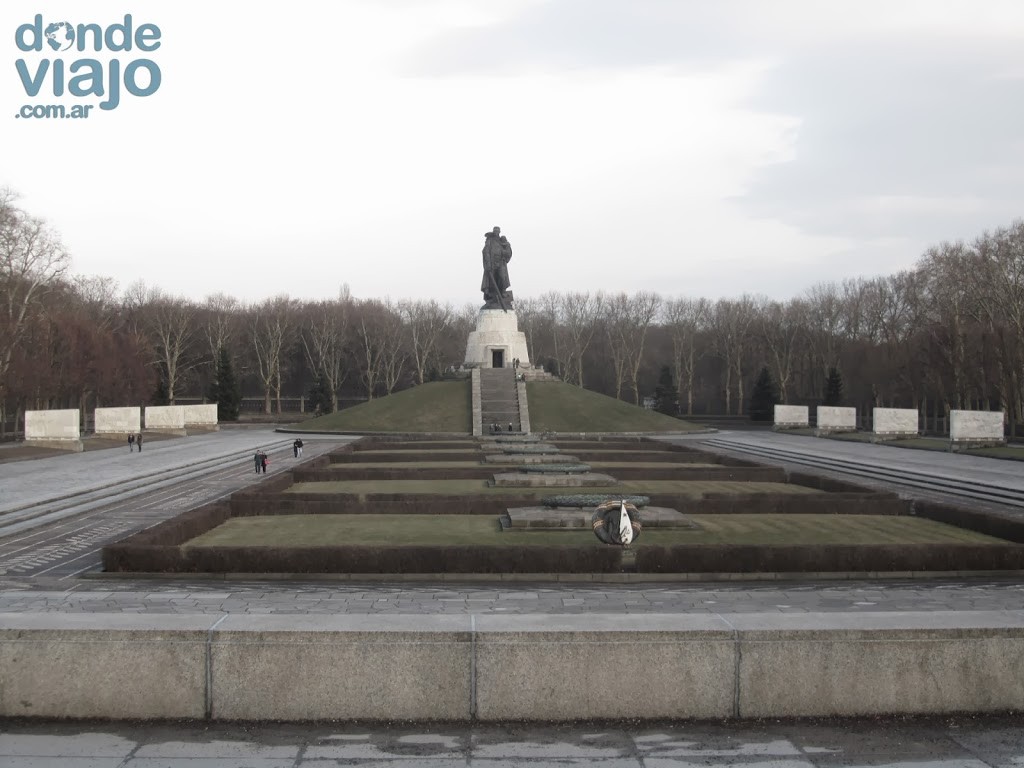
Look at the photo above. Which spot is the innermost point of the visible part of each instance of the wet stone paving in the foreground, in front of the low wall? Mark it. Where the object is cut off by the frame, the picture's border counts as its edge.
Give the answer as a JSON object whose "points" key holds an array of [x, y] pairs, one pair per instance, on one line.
{"points": [[926, 743]]}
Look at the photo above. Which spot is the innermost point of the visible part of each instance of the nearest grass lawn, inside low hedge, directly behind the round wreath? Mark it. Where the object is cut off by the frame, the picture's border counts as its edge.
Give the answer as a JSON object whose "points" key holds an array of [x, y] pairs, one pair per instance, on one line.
{"points": [[314, 531]]}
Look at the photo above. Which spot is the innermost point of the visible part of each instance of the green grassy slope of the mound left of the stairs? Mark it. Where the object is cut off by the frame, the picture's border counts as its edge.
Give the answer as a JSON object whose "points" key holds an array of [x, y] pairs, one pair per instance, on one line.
{"points": [[436, 407]]}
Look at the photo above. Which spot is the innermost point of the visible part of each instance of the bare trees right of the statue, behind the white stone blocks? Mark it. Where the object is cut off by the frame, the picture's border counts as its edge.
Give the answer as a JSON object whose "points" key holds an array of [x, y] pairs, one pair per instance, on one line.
{"points": [[949, 333]]}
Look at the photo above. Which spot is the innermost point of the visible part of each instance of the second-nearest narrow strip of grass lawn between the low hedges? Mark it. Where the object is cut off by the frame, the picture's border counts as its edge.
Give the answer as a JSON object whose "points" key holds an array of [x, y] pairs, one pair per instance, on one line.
{"points": [[695, 489]]}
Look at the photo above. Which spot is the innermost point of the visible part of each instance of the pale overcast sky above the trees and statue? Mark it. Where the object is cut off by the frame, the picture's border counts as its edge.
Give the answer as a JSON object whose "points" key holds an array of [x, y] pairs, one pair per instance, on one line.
{"points": [[694, 148]]}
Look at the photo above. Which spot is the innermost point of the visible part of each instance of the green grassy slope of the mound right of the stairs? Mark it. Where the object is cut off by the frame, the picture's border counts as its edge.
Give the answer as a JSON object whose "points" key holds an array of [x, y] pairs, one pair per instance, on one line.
{"points": [[557, 407]]}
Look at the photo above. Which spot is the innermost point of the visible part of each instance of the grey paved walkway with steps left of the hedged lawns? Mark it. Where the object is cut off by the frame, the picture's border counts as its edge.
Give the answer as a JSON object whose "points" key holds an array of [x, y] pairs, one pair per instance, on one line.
{"points": [[63, 510]]}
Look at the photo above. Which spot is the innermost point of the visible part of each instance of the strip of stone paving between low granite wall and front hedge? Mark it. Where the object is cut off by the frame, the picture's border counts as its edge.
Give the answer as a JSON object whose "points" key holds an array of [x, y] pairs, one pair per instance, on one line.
{"points": [[137, 596]]}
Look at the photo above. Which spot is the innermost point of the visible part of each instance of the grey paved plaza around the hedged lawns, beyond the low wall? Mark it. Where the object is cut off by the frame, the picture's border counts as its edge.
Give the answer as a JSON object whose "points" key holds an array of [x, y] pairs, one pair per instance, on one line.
{"points": [[56, 568]]}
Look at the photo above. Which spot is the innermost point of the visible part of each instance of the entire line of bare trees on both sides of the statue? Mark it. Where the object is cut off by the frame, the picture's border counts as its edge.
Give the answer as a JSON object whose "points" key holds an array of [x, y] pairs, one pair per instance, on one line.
{"points": [[947, 334]]}
